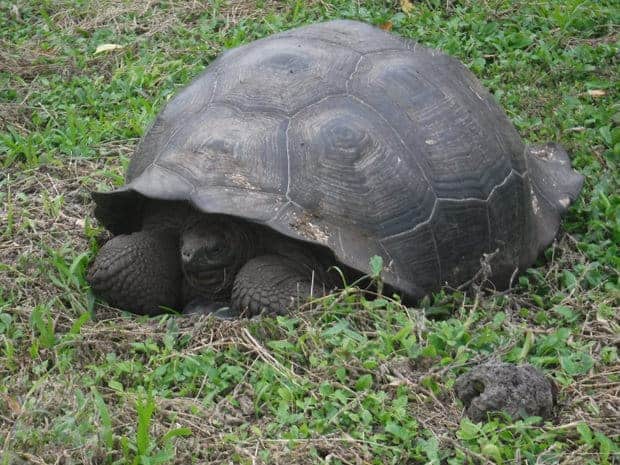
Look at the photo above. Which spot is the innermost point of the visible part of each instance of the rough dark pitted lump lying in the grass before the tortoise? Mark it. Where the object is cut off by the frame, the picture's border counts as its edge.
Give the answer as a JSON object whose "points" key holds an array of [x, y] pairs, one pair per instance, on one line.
{"points": [[519, 391]]}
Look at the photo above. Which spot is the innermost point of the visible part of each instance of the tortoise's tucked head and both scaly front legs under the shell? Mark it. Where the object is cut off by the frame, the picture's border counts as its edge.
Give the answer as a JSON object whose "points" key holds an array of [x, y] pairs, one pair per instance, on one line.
{"points": [[199, 263]]}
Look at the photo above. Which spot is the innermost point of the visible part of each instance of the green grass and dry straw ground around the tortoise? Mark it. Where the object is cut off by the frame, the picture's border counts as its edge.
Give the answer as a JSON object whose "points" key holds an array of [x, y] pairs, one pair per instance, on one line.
{"points": [[347, 381]]}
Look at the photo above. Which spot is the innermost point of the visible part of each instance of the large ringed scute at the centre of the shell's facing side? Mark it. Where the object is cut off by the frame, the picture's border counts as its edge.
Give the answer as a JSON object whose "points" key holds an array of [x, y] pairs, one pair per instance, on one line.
{"points": [[348, 169]]}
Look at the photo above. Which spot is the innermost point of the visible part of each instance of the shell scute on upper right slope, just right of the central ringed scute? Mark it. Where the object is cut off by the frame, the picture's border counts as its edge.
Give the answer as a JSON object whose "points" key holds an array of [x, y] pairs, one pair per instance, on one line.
{"points": [[460, 156]]}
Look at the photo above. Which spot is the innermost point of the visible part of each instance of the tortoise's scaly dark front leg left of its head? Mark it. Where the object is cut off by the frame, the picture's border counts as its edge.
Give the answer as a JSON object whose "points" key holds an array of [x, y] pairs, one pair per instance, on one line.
{"points": [[139, 272]]}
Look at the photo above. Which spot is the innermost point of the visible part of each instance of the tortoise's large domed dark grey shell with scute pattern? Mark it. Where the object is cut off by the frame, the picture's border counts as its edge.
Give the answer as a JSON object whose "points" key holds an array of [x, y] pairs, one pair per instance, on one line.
{"points": [[344, 135]]}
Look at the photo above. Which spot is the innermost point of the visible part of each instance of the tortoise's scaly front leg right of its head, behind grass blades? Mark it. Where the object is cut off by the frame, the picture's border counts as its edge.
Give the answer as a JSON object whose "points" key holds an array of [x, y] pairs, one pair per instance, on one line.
{"points": [[271, 284]]}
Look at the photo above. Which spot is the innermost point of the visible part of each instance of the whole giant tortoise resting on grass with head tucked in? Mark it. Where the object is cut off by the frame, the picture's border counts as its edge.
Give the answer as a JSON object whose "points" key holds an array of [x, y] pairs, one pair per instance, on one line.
{"points": [[326, 145]]}
